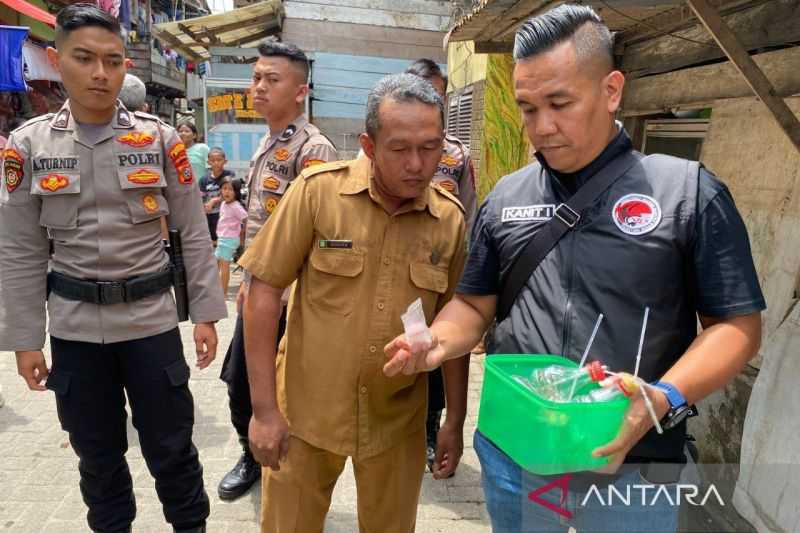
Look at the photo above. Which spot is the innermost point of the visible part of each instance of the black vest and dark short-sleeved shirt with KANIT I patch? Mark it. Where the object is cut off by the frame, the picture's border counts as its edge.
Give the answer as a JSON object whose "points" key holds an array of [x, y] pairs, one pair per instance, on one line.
{"points": [[665, 235]]}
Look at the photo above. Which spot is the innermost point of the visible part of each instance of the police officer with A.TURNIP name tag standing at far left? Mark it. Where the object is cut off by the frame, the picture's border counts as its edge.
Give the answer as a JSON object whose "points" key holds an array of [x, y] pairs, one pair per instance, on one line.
{"points": [[97, 179]]}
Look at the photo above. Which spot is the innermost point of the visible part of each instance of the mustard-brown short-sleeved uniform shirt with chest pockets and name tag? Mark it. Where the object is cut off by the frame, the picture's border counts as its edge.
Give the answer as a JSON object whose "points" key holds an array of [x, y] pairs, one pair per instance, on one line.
{"points": [[347, 302]]}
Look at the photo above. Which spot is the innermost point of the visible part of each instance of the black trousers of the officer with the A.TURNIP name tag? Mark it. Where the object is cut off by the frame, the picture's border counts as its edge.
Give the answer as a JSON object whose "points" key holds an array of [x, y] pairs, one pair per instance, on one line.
{"points": [[90, 381]]}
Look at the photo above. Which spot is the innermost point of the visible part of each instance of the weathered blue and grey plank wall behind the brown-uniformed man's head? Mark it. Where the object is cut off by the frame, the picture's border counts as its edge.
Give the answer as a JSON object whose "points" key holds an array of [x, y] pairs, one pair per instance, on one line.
{"points": [[354, 43]]}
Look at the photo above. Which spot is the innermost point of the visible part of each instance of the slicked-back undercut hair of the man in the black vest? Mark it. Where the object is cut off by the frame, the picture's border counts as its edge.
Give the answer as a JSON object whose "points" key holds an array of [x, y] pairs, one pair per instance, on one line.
{"points": [[578, 23]]}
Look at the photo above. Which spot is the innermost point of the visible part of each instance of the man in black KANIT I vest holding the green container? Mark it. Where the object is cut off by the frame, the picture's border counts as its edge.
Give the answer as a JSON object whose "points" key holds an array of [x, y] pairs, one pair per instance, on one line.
{"points": [[665, 235]]}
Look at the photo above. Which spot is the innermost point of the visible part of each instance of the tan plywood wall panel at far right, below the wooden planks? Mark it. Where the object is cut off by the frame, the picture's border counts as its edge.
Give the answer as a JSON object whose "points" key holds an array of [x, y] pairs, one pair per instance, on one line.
{"points": [[750, 153]]}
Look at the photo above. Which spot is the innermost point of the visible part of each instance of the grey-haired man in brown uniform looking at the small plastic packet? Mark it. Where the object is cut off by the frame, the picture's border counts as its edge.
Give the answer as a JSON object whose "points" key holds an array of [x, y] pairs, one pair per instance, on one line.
{"points": [[363, 239]]}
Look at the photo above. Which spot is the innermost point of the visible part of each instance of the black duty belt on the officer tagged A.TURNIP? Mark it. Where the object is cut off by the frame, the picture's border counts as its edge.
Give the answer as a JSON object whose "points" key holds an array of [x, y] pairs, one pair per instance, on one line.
{"points": [[109, 292]]}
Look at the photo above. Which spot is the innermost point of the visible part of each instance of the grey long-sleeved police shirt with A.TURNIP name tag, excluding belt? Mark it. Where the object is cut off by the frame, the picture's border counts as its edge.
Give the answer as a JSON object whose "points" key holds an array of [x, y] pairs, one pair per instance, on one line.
{"points": [[100, 200]]}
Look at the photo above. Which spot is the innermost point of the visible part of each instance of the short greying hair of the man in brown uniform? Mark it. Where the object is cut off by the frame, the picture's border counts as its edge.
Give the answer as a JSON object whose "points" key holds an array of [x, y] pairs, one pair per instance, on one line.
{"points": [[401, 88]]}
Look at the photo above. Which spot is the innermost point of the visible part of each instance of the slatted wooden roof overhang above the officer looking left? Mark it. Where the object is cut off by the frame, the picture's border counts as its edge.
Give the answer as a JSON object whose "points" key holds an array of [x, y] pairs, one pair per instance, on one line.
{"points": [[239, 27]]}
